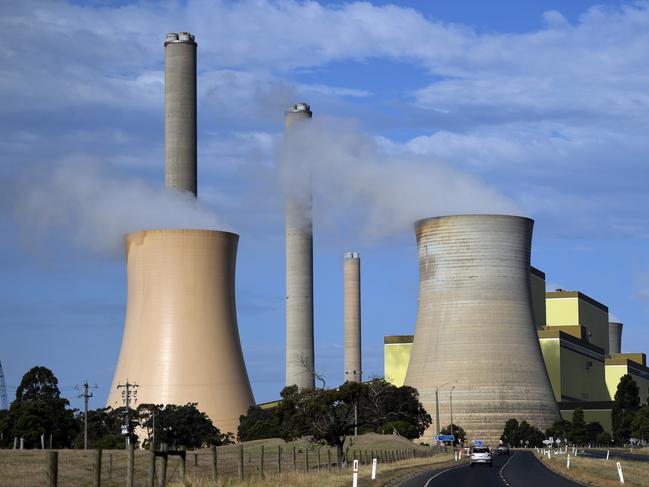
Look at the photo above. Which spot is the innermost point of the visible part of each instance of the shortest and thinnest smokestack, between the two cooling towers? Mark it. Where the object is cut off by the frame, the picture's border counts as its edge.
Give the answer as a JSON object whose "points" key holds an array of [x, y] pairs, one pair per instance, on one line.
{"points": [[352, 316]]}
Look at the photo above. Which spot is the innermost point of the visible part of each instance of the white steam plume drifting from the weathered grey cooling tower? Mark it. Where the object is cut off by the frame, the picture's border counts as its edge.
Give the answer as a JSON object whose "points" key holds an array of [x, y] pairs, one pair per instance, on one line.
{"points": [[372, 191]]}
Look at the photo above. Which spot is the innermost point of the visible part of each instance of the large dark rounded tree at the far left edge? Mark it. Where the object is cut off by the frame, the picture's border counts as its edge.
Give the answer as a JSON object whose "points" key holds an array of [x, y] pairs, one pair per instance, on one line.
{"points": [[39, 410]]}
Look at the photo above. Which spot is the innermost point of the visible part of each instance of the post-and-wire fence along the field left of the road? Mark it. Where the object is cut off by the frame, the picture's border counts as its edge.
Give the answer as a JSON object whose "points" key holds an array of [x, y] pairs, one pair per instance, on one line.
{"points": [[111, 468]]}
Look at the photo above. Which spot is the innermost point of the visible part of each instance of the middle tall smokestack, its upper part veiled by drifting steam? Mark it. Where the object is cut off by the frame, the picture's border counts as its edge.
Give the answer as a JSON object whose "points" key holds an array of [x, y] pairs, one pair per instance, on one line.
{"points": [[299, 272]]}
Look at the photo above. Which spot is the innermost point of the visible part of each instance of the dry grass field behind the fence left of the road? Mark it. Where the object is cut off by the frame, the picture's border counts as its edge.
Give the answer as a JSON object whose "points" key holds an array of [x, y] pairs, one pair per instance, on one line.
{"points": [[28, 467]]}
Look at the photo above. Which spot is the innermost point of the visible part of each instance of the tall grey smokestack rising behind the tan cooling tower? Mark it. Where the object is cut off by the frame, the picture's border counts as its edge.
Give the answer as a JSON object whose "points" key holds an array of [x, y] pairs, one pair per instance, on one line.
{"points": [[180, 112]]}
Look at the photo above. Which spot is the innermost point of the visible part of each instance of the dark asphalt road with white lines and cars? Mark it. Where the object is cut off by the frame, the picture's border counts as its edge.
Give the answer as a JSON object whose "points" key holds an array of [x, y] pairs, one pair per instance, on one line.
{"points": [[520, 469]]}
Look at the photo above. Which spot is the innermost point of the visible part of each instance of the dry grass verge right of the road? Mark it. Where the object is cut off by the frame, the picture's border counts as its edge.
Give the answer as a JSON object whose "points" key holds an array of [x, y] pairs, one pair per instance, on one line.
{"points": [[601, 472]]}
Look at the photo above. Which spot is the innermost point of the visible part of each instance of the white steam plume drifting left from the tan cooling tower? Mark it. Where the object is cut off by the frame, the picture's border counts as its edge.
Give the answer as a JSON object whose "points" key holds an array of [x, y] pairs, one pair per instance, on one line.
{"points": [[82, 200]]}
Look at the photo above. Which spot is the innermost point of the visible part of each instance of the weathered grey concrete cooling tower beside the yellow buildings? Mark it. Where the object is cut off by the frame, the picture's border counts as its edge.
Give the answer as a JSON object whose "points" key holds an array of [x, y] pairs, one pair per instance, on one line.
{"points": [[475, 329]]}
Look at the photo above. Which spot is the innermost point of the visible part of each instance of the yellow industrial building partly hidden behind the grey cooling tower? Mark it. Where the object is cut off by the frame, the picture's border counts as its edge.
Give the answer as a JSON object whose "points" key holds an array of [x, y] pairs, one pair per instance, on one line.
{"points": [[573, 332]]}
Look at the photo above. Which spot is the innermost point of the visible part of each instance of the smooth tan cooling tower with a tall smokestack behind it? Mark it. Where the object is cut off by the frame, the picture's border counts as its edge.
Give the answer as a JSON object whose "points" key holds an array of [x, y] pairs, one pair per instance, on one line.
{"points": [[181, 339]]}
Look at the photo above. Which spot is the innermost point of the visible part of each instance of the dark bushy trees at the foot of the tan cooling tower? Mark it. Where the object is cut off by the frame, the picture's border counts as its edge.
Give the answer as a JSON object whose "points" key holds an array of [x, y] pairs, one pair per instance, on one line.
{"points": [[179, 426]]}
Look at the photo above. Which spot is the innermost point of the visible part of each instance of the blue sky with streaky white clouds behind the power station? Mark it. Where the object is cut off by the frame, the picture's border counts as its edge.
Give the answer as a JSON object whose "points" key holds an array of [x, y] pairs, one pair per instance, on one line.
{"points": [[429, 108]]}
